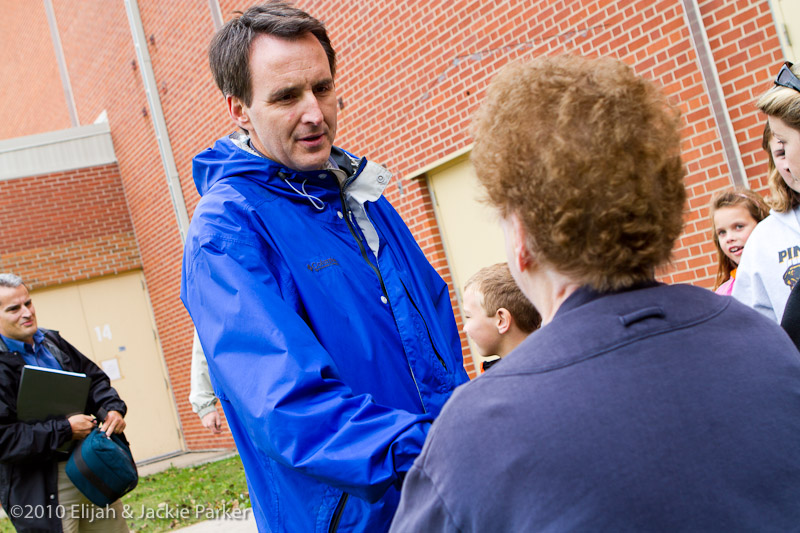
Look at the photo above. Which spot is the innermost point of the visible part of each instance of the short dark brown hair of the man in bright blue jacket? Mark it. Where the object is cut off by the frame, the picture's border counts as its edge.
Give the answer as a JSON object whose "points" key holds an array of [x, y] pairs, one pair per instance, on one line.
{"points": [[229, 52]]}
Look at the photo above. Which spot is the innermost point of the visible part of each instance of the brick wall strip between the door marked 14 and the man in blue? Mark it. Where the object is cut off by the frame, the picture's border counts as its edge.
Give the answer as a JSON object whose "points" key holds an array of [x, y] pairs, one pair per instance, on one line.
{"points": [[99, 49]]}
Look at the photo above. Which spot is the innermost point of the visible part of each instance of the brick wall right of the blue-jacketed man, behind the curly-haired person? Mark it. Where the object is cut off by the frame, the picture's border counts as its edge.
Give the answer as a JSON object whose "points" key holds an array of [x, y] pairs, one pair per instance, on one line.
{"points": [[434, 77]]}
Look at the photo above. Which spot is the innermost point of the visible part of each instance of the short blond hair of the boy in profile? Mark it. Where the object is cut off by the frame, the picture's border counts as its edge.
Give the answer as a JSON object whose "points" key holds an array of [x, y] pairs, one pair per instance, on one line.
{"points": [[498, 289]]}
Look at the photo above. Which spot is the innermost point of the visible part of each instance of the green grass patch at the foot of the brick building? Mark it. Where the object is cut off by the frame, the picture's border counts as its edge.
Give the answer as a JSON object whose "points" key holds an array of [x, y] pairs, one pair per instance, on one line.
{"points": [[178, 497]]}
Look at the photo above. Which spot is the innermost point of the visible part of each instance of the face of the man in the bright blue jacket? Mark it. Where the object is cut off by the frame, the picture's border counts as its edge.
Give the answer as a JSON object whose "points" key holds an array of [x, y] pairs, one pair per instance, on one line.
{"points": [[292, 117]]}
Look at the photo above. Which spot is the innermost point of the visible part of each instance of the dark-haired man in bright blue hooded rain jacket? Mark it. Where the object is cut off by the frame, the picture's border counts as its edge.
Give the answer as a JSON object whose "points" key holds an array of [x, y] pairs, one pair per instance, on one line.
{"points": [[330, 339]]}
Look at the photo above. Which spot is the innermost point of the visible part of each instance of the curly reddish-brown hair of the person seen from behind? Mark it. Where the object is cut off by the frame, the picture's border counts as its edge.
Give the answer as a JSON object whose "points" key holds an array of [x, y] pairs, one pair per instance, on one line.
{"points": [[587, 155]]}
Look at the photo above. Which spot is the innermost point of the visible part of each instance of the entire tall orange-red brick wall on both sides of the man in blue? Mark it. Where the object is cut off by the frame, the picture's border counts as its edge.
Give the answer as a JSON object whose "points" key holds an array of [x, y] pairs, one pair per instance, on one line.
{"points": [[410, 76]]}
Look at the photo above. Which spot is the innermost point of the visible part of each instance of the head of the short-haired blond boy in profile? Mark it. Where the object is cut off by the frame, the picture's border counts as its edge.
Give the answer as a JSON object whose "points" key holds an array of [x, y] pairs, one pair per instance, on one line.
{"points": [[497, 316]]}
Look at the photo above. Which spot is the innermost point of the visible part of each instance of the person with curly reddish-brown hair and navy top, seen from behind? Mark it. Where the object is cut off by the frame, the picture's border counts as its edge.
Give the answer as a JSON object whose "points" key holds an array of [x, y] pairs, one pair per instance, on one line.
{"points": [[637, 405]]}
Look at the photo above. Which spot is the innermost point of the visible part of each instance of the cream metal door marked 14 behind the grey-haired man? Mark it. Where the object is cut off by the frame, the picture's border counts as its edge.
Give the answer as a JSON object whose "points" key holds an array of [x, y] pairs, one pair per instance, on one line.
{"points": [[110, 321]]}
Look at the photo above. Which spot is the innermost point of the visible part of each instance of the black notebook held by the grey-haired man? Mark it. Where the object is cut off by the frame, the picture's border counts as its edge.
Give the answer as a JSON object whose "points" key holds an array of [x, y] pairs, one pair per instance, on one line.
{"points": [[46, 393]]}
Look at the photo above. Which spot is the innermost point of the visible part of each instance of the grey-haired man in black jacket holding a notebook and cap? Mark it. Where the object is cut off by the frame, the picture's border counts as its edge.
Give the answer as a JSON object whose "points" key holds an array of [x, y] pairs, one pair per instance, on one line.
{"points": [[34, 490]]}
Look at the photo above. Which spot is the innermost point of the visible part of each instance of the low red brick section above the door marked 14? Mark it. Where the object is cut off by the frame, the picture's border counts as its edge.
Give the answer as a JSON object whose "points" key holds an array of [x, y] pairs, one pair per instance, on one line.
{"points": [[66, 226]]}
